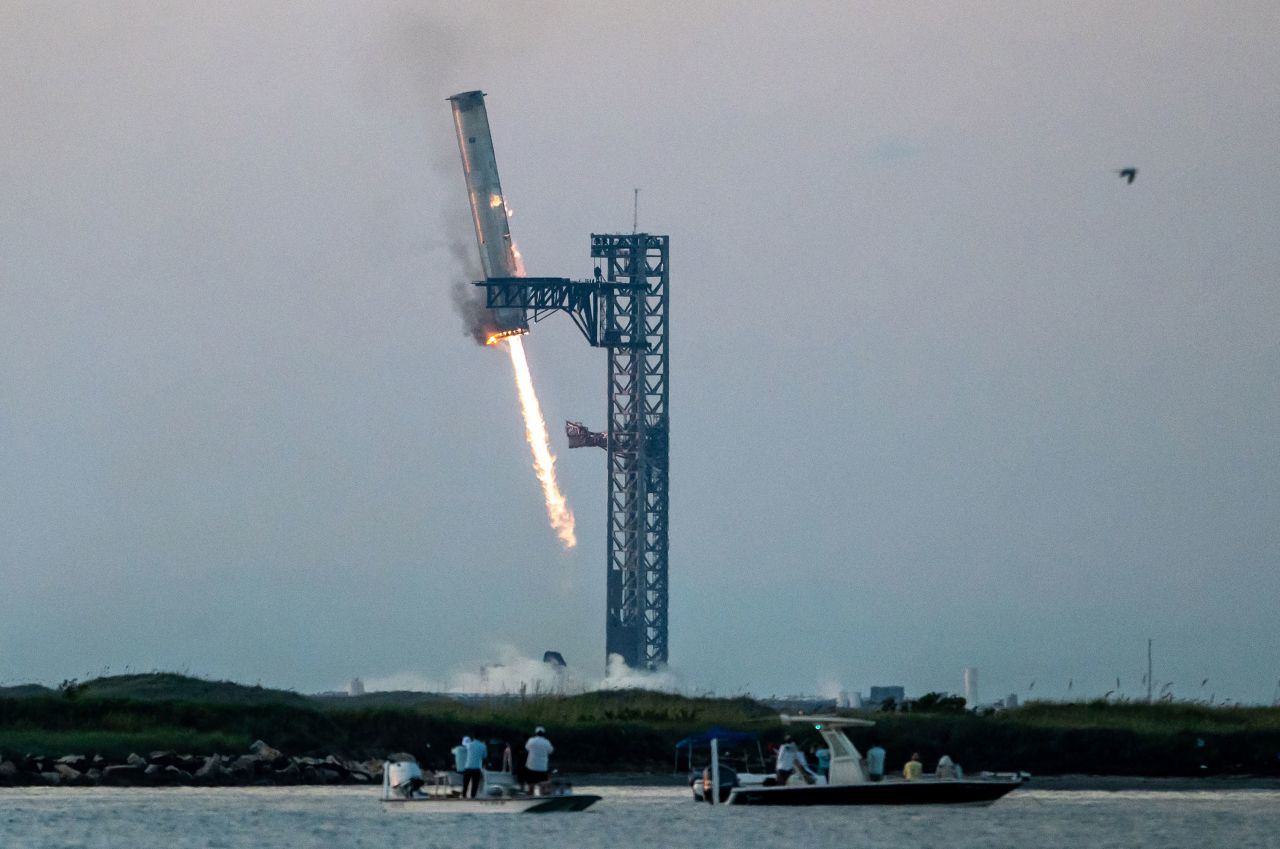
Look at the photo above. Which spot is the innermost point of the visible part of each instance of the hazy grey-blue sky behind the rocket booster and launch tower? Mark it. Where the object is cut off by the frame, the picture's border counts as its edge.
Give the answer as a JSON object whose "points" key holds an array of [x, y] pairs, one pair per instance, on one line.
{"points": [[945, 391]]}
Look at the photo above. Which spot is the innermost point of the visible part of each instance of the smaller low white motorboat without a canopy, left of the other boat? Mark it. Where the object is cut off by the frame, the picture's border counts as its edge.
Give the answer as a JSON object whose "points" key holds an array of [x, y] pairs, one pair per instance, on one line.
{"points": [[405, 789]]}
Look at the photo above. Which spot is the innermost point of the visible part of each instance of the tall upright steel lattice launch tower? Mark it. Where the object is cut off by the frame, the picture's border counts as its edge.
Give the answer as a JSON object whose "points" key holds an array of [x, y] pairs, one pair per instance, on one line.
{"points": [[636, 334]]}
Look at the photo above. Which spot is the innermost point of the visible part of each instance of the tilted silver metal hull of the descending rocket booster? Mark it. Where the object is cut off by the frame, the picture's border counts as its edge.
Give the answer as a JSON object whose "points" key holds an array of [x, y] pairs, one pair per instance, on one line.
{"points": [[488, 204]]}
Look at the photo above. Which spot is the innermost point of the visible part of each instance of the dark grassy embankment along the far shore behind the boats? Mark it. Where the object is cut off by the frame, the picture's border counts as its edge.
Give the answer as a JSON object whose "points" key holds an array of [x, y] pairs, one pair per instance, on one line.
{"points": [[620, 732]]}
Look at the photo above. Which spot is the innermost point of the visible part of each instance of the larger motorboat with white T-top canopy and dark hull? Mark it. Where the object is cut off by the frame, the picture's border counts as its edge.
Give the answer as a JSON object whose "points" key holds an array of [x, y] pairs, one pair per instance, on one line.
{"points": [[848, 784]]}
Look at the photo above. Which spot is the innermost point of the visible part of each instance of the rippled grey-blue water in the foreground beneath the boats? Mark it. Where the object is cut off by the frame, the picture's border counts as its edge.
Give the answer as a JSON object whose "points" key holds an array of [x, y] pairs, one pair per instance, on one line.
{"points": [[659, 818]]}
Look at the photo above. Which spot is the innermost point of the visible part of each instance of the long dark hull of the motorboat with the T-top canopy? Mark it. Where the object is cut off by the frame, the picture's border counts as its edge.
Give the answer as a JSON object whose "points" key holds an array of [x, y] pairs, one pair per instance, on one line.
{"points": [[897, 793]]}
